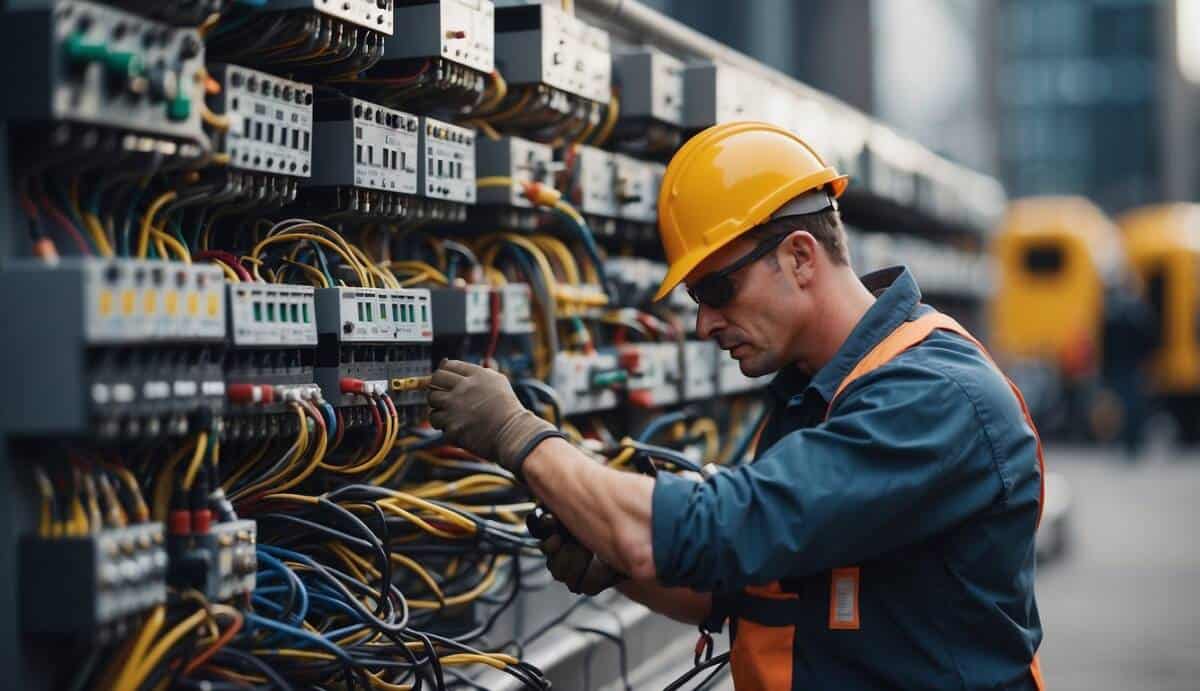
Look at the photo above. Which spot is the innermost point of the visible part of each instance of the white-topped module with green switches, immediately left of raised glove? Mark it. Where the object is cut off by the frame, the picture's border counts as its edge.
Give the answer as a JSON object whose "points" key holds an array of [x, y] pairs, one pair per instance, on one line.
{"points": [[374, 343]]}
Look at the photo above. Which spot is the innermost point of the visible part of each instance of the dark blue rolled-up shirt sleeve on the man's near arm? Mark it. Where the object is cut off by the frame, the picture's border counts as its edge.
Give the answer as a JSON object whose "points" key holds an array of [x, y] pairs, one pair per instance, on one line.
{"points": [[903, 459]]}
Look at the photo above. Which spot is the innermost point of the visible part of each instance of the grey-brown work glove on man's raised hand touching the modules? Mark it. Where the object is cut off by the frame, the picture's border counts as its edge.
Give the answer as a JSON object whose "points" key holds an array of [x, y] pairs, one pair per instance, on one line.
{"points": [[477, 410]]}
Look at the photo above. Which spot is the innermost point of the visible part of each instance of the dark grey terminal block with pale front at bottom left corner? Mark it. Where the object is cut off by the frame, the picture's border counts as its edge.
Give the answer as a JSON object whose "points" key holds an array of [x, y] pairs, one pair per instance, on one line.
{"points": [[92, 586]]}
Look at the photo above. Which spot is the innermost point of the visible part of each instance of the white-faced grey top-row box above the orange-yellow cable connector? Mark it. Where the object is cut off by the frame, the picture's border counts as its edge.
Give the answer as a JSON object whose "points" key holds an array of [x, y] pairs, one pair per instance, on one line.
{"points": [[544, 45]]}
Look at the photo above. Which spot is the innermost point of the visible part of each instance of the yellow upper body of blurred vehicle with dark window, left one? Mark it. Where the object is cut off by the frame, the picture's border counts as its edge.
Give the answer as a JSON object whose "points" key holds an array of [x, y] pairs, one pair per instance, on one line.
{"points": [[1057, 256]]}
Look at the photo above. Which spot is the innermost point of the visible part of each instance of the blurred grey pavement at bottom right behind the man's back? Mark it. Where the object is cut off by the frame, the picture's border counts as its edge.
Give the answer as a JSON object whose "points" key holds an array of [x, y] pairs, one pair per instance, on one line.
{"points": [[1123, 610]]}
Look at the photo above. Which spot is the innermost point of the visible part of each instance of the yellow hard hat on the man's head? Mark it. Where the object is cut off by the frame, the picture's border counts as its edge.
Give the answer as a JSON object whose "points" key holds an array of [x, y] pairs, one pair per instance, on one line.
{"points": [[727, 181]]}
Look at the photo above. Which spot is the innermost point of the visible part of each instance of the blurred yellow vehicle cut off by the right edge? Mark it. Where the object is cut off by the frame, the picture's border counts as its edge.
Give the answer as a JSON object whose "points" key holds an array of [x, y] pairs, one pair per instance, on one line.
{"points": [[1163, 245]]}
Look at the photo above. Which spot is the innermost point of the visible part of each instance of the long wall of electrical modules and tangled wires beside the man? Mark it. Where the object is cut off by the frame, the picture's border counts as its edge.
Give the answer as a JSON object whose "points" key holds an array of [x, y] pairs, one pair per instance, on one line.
{"points": [[242, 236]]}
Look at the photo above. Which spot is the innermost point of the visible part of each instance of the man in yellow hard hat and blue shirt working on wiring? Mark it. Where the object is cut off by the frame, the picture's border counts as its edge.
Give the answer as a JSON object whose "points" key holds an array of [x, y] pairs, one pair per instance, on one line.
{"points": [[884, 536]]}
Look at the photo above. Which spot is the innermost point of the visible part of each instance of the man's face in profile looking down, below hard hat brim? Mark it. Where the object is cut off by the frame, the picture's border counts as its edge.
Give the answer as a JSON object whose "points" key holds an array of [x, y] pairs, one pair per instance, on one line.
{"points": [[769, 314]]}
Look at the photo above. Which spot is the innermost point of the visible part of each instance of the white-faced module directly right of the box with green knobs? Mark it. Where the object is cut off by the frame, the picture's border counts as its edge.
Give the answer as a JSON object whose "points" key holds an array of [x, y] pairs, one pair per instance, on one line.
{"points": [[271, 122]]}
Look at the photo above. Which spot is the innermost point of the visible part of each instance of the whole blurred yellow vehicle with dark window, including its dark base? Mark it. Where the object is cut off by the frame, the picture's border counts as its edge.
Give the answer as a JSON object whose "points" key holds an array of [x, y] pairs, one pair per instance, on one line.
{"points": [[1057, 260]]}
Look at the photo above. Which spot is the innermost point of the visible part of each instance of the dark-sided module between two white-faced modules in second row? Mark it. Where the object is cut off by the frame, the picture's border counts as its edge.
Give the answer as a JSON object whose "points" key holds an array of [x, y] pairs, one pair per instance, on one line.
{"points": [[362, 145]]}
